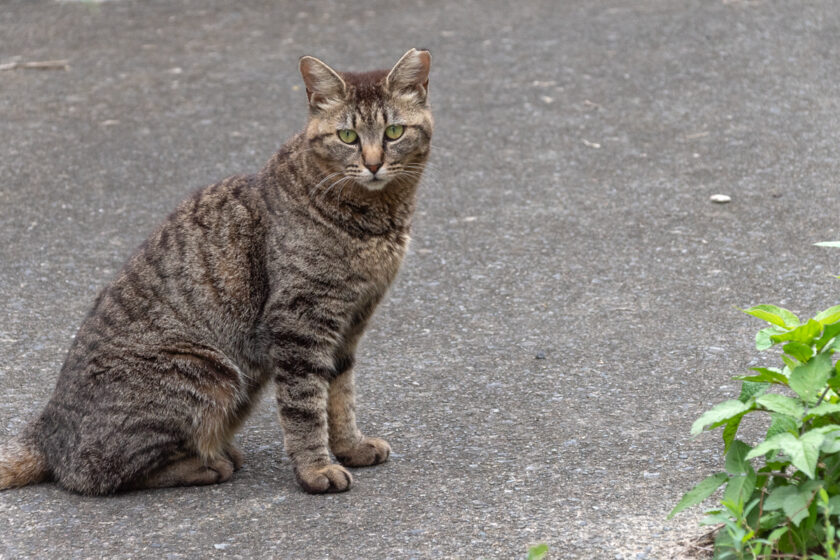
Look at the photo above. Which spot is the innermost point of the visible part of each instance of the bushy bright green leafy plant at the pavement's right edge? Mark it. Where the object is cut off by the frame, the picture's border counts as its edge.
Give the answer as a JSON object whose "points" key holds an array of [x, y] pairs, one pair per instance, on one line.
{"points": [[787, 507]]}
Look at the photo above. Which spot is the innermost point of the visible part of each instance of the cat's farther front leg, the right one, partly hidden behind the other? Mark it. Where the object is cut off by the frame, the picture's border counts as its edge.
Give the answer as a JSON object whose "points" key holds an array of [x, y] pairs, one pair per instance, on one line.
{"points": [[350, 446]]}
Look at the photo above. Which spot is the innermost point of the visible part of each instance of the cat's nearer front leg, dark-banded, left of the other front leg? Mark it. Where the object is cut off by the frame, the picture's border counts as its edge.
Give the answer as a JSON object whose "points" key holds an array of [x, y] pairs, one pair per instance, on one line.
{"points": [[302, 404]]}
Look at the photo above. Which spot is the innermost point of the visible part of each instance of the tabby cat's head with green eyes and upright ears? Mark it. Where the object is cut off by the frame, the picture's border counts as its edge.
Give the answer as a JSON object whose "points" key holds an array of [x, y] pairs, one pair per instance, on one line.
{"points": [[372, 127]]}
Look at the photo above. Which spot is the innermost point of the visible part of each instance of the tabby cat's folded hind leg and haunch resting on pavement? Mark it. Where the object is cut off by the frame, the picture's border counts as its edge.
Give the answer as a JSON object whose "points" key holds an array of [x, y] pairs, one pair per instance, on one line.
{"points": [[138, 425]]}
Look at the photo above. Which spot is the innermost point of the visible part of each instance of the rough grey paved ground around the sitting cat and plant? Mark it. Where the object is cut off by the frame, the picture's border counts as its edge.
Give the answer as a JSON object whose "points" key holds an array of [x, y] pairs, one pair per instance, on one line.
{"points": [[566, 215]]}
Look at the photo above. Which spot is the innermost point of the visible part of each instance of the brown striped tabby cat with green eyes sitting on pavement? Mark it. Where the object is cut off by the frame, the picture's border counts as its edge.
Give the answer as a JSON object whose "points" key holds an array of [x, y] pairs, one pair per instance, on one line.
{"points": [[270, 277]]}
